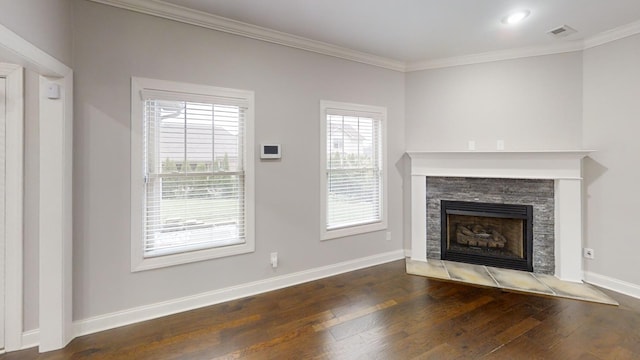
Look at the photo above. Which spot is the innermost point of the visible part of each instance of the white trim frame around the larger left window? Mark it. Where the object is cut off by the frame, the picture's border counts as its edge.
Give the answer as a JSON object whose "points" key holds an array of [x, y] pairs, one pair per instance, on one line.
{"points": [[138, 261]]}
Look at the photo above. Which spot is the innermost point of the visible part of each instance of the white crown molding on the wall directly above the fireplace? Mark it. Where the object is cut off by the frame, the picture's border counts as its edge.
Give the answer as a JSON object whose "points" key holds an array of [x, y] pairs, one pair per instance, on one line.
{"points": [[491, 56]]}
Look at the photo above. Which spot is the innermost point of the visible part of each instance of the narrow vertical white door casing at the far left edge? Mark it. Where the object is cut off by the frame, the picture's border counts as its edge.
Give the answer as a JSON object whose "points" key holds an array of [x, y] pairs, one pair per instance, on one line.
{"points": [[14, 165]]}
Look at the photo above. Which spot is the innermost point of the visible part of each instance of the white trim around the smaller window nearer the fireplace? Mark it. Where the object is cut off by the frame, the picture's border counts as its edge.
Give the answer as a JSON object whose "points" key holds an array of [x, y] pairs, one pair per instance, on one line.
{"points": [[378, 111]]}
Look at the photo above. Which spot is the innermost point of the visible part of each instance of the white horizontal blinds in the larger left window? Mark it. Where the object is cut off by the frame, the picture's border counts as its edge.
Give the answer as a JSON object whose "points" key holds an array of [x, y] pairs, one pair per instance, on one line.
{"points": [[194, 195]]}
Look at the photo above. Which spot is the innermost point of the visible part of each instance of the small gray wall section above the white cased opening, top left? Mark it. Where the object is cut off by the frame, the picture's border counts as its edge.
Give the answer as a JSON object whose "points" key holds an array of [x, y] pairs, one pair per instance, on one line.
{"points": [[46, 24]]}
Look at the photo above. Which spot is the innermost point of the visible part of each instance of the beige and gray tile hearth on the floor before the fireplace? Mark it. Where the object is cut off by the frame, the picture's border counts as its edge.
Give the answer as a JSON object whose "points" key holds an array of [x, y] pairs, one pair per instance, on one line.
{"points": [[513, 280]]}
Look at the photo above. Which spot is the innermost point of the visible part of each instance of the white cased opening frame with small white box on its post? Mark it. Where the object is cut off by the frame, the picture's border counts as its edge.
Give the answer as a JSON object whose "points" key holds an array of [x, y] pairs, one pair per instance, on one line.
{"points": [[55, 203]]}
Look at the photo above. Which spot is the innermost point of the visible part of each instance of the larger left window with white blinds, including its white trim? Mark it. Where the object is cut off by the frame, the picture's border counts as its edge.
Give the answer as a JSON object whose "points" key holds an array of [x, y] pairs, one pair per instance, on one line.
{"points": [[191, 173]]}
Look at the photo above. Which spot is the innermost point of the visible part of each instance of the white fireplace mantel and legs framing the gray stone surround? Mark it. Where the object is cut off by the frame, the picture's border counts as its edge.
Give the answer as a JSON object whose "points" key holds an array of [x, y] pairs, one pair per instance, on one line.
{"points": [[562, 166]]}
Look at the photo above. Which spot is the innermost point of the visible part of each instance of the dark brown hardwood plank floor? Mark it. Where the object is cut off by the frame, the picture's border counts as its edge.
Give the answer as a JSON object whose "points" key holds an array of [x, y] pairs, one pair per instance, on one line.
{"points": [[376, 313]]}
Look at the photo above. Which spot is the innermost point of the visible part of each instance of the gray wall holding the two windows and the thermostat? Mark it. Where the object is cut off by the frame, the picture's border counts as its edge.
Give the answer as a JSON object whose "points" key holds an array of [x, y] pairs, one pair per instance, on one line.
{"points": [[112, 45]]}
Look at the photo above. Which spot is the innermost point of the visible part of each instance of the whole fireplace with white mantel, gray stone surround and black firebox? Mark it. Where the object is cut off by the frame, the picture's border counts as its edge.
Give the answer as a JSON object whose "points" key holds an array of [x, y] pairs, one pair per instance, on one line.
{"points": [[548, 183]]}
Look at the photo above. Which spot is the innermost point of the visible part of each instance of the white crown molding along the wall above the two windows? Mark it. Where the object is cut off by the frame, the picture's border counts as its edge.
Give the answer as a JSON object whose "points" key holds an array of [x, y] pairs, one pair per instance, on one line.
{"points": [[219, 23]]}
